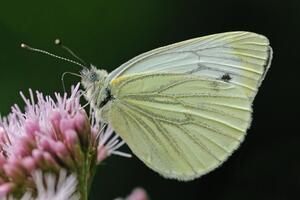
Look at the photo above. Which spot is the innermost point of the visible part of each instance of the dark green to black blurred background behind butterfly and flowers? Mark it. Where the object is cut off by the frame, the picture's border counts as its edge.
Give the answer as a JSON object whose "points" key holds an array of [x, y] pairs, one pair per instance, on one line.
{"points": [[108, 33]]}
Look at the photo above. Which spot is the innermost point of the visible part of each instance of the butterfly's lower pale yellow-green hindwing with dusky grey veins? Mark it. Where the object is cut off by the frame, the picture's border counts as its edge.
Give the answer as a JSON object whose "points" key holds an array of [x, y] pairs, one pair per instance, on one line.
{"points": [[181, 126]]}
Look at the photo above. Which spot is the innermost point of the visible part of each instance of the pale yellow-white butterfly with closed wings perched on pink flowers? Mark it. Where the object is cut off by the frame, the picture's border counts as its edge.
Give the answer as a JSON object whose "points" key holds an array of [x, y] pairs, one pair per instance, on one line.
{"points": [[183, 108]]}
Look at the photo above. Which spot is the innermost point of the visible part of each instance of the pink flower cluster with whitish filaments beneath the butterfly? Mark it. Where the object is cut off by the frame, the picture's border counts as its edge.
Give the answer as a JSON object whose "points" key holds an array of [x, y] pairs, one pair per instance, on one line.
{"points": [[52, 140]]}
